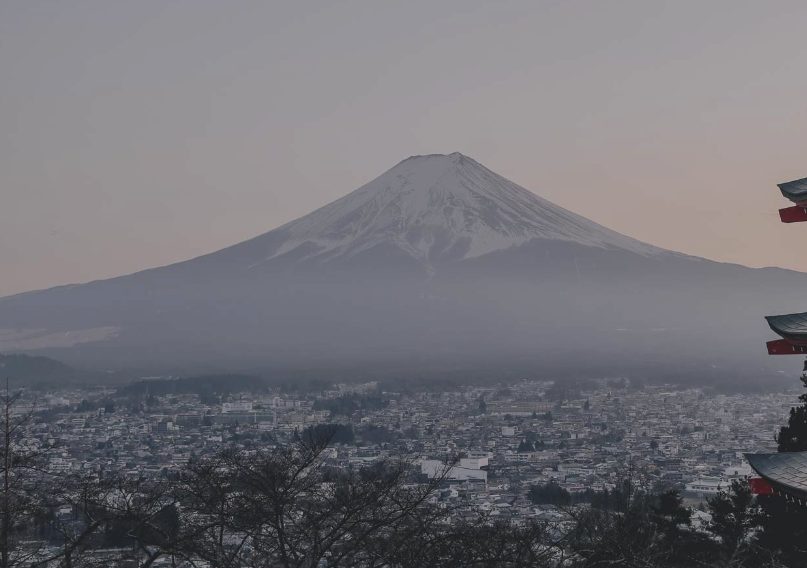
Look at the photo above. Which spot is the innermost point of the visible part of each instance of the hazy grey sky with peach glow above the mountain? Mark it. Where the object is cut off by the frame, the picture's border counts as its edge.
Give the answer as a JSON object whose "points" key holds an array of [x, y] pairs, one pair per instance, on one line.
{"points": [[135, 134]]}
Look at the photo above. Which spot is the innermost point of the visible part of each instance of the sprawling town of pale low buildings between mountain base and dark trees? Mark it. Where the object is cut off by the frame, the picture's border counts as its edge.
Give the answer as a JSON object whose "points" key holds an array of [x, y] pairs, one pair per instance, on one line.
{"points": [[508, 441]]}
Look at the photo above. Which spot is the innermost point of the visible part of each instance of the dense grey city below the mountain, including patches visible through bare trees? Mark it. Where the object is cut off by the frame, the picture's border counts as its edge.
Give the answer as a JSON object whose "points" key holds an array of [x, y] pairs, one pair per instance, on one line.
{"points": [[524, 455]]}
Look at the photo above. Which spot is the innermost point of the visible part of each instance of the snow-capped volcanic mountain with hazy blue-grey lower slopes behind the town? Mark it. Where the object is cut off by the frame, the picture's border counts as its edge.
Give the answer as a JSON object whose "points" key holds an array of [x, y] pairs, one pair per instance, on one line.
{"points": [[439, 265]]}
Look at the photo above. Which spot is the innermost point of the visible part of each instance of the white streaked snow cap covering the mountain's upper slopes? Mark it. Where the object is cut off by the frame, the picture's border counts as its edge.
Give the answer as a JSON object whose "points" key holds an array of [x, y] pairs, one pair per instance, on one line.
{"points": [[442, 206]]}
